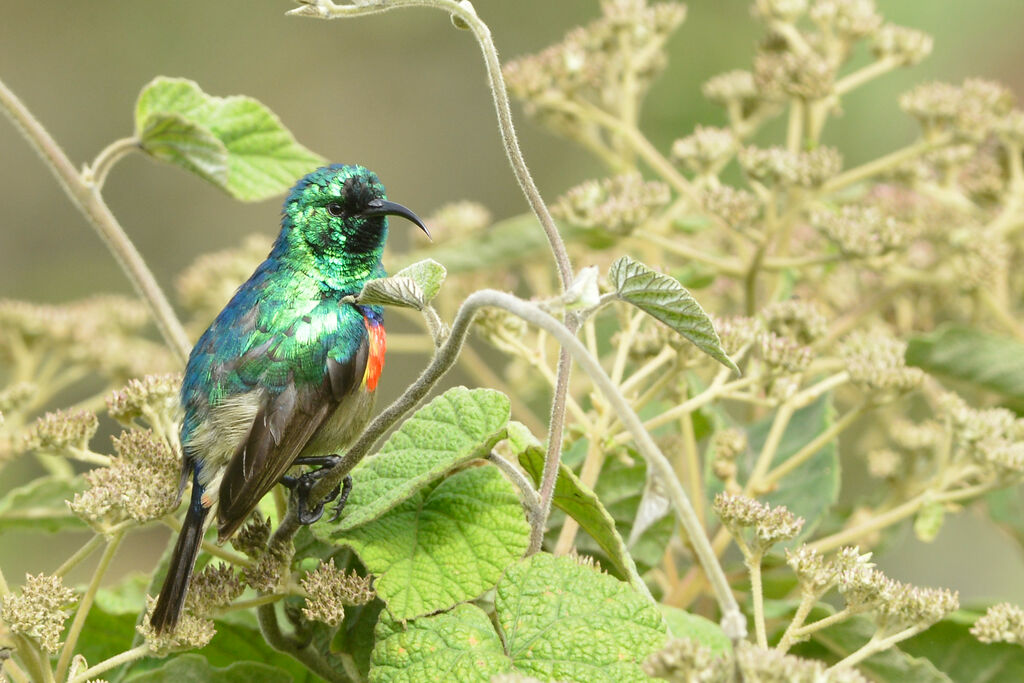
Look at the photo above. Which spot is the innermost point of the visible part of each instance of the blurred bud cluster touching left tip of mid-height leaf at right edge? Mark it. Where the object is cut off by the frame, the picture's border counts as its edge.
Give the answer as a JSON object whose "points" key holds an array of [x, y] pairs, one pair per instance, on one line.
{"points": [[876, 363]]}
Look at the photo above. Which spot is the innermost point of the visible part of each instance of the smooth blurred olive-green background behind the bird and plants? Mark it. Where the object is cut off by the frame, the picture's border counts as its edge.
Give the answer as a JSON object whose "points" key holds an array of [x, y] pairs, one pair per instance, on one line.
{"points": [[403, 94]]}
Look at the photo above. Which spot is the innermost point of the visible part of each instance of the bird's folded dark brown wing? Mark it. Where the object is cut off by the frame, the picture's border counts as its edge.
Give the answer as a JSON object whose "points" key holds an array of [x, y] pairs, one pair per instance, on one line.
{"points": [[281, 431]]}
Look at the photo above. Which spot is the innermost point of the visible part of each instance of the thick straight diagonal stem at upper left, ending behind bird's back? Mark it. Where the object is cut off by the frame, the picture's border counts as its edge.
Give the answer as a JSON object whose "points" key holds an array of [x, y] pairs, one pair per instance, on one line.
{"points": [[87, 197]]}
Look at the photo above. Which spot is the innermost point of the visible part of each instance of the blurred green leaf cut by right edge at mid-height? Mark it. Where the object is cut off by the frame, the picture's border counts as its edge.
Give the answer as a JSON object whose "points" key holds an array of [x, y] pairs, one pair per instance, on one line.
{"points": [[967, 355]]}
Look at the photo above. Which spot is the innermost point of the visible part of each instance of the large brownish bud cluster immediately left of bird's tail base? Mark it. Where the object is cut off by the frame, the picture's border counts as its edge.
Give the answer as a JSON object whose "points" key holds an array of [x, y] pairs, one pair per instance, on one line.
{"points": [[141, 484]]}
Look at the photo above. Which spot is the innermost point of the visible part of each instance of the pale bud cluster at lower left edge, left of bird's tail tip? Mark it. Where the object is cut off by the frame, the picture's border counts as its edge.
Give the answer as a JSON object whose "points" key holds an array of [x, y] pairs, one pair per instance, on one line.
{"points": [[39, 611]]}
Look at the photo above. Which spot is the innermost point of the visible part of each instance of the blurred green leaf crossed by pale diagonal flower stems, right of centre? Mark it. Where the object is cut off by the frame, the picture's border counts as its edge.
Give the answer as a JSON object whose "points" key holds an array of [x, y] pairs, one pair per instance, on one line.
{"points": [[812, 489]]}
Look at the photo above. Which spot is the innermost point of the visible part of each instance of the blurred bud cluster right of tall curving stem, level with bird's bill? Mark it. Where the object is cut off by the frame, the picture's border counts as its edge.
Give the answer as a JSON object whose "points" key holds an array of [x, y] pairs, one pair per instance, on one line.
{"points": [[616, 205]]}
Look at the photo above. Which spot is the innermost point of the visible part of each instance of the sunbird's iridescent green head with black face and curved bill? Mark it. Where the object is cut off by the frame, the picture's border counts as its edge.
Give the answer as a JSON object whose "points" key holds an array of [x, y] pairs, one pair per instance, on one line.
{"points": [[337, 217]]}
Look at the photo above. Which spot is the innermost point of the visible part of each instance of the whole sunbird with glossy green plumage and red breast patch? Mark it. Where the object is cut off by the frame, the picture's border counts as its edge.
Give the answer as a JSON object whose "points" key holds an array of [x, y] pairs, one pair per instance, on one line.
{"points": [[287, 372]]}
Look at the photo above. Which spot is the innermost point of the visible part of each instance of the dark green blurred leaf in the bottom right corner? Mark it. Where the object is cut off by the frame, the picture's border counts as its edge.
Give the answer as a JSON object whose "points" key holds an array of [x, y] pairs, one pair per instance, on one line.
{"points": [[953, 650]]}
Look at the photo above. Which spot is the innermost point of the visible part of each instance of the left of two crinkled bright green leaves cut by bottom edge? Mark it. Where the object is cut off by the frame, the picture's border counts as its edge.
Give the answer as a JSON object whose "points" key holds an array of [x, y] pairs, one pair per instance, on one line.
{"points": [[461, 646]]}
